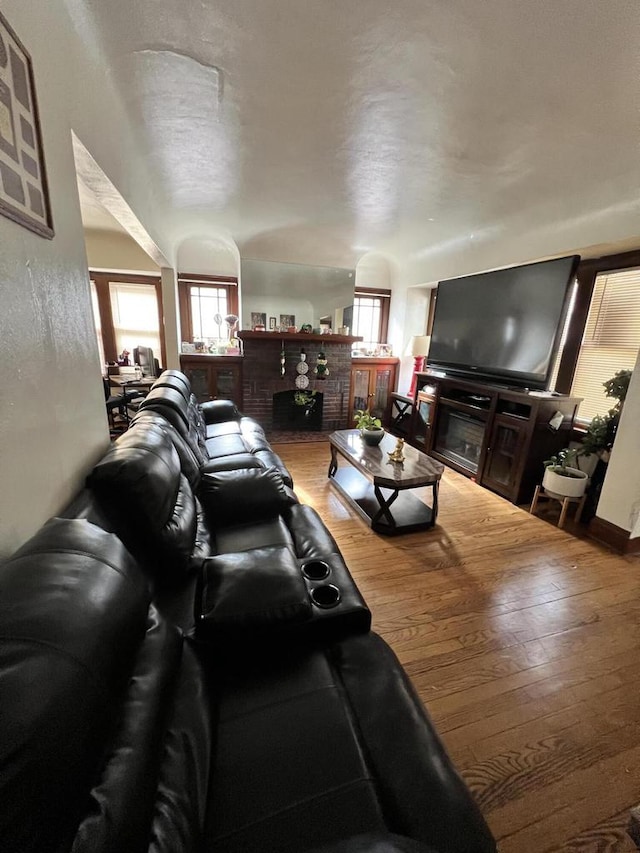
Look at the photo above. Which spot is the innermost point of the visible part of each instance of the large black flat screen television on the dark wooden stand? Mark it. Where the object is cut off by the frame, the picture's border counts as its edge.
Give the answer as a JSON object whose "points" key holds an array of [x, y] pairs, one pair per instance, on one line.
{"points": [[503, 326]]}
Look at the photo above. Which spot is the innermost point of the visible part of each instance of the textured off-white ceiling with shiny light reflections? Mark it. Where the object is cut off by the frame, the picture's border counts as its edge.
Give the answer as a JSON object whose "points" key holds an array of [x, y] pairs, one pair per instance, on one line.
{"points": [[315, 132]]}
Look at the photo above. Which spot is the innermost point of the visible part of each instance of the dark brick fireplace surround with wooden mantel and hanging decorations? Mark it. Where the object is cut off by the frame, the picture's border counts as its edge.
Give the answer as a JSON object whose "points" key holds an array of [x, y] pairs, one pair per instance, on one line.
{"points": [[262, 378]]}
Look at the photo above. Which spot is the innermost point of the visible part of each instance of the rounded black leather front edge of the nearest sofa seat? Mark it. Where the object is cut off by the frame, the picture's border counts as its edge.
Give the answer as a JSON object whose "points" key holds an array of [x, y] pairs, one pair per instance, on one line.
{"points": [[422, 794]]}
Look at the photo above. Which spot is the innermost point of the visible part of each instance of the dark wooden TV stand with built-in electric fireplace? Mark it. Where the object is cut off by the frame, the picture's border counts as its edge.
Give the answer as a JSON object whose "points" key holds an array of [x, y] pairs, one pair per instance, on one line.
{"points": [[499, 436]]}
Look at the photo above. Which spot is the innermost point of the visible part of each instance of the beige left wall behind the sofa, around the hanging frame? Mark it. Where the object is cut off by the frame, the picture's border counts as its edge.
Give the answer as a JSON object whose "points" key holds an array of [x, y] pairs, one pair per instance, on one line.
{"points": [[52, 417]]}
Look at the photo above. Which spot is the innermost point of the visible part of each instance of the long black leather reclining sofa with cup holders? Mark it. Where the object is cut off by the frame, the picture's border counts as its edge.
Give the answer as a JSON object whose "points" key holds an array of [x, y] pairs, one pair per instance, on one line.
{"points": [[186, 665]]}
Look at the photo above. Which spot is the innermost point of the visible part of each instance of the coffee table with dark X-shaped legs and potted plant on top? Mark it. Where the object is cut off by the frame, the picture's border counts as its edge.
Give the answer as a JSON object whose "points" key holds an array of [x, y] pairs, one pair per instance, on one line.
{"points": [[373, 485]]}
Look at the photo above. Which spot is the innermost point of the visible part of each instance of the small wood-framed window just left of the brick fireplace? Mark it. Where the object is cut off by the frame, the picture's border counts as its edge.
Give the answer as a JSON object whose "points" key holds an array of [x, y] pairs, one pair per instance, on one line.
{"points": [[201, 298]]}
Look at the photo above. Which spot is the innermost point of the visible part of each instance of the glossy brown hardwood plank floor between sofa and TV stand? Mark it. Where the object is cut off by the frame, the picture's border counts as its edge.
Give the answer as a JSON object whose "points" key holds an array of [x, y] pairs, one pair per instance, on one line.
{"points": [[524, 644]]}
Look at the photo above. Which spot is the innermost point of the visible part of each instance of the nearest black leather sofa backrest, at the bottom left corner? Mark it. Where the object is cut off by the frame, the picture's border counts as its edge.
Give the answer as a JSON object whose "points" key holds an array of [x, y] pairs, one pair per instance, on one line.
{"points": [[73, 612]]}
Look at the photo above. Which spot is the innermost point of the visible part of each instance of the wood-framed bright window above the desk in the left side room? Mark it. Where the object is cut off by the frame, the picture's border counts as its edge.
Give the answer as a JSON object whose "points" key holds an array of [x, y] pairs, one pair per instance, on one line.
{"points": [[127, 314]]}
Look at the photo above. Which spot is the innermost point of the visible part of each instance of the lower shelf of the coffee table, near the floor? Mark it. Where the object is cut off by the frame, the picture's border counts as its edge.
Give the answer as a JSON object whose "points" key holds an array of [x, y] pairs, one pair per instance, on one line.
{"points": [[408, 511]]}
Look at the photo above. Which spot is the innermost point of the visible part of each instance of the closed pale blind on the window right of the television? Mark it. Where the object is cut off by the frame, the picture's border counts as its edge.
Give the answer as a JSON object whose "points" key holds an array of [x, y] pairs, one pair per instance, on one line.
{"points": [[610, 341]]}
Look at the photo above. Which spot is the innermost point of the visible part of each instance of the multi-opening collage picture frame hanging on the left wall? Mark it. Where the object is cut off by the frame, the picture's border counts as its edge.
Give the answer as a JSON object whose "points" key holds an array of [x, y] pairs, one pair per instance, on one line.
{"points": [[24, 195]]}
